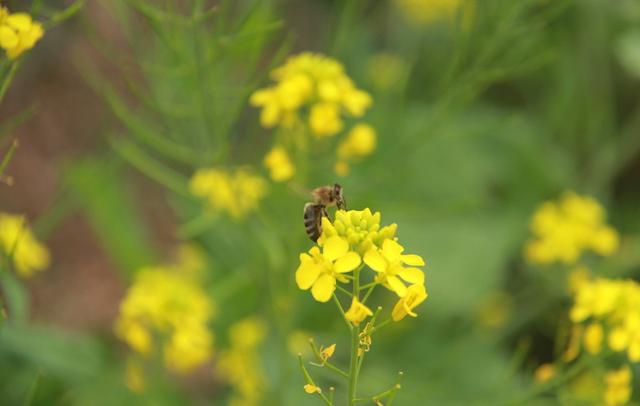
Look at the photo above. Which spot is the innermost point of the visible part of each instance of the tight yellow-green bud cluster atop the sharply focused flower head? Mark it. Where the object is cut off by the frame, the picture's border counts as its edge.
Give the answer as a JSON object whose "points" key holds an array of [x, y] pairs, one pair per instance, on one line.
{"points": [[360, 228]]}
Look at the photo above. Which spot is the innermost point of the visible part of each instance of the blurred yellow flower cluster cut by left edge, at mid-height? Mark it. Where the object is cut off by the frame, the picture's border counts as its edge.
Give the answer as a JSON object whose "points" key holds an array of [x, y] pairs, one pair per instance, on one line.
{"points": [[19, 243]]}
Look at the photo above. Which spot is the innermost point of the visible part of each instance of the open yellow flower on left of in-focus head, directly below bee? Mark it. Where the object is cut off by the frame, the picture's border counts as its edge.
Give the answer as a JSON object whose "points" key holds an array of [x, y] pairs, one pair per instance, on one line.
{"points": [[319, 271]]}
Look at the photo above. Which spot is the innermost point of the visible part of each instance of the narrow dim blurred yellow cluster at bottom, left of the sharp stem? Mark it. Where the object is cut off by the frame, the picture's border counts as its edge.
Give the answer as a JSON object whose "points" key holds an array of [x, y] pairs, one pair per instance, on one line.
{"points": [[240, 365]]}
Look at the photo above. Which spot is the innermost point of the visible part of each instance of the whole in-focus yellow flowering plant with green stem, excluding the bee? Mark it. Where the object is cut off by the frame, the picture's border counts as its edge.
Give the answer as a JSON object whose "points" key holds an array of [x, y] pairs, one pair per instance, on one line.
{"points": [[336, 267]]}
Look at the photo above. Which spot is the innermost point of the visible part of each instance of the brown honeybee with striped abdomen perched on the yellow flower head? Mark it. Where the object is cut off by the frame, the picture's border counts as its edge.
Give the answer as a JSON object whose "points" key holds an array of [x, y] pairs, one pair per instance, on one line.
{"points": [[323, 197]]}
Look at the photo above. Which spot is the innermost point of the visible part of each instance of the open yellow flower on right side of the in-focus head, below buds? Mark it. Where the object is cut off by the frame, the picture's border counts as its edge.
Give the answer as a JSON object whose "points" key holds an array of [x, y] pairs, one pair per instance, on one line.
{"points": [[389, 263]]}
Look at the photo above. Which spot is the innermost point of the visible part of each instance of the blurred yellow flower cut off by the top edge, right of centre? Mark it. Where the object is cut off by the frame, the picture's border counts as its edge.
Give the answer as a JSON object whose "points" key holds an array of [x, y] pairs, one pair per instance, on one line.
{"points": [[424, 12]]}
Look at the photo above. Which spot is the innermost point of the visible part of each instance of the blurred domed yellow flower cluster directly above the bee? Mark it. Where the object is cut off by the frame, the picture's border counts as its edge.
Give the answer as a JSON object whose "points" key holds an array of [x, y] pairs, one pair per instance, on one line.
{"points": [[314, 81]]}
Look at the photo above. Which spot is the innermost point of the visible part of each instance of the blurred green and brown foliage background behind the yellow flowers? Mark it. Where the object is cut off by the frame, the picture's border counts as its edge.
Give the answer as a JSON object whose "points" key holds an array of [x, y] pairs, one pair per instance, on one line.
{"points": [[487, 110]]}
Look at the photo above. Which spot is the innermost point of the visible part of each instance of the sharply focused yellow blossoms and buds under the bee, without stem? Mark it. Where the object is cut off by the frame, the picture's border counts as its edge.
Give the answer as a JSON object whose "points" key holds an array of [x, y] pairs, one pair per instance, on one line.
{"points": [[353, 238]]}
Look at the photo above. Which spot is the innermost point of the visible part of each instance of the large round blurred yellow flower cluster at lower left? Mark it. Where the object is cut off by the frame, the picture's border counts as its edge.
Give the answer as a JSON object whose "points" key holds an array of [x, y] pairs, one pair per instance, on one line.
{"points": [[166, 308]]}
